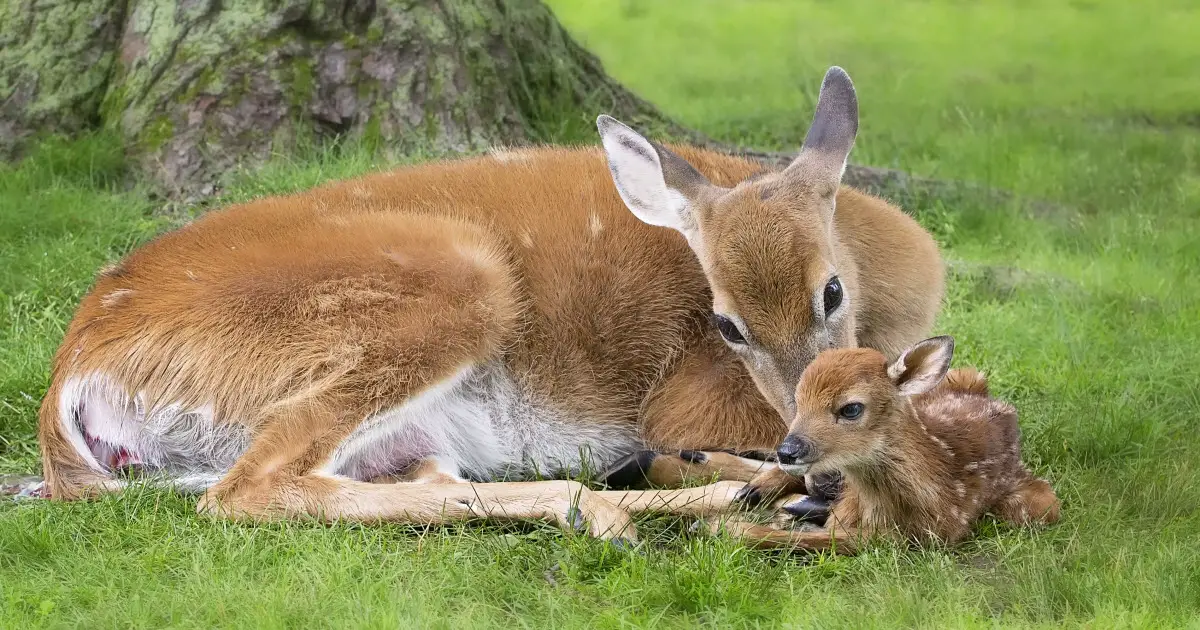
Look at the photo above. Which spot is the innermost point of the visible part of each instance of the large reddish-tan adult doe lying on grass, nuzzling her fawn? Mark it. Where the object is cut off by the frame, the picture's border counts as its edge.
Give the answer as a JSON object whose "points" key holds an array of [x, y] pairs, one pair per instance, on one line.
{"points": [[505, 316]]}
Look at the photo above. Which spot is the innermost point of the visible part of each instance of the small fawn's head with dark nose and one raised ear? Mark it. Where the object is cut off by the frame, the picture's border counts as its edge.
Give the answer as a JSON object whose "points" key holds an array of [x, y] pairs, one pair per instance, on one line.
{"points": [[849, 401]]}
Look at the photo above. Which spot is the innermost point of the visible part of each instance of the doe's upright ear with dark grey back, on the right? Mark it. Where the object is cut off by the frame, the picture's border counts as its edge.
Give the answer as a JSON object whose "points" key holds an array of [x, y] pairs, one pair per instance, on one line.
{"points": [[832, 135]]}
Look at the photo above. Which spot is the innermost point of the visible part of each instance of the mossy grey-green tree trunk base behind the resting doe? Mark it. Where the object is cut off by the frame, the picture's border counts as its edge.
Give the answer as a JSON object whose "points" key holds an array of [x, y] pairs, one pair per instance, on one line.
{"points": [[196, 87]]}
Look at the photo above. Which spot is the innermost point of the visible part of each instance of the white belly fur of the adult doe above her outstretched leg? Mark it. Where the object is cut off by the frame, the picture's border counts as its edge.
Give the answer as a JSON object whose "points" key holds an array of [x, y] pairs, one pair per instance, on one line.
{"points": [[479, 423]]}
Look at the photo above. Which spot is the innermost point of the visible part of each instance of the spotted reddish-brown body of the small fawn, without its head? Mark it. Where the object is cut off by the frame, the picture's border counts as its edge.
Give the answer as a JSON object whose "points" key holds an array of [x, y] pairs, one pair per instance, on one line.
{"points": [[956, 459]]}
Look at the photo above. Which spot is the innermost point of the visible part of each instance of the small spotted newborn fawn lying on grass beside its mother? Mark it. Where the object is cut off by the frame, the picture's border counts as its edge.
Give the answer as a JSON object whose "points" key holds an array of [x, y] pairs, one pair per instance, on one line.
{"points": [[925, 453]]}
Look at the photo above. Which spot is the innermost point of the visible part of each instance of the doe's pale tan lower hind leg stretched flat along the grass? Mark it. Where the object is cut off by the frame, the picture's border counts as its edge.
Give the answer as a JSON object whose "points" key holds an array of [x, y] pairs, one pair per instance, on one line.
{"points": [[284, 476]]}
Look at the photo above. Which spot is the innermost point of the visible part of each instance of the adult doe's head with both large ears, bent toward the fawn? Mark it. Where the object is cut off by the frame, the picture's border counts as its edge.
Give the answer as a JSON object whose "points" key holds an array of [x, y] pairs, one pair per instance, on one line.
{"points": [[766, 245]]}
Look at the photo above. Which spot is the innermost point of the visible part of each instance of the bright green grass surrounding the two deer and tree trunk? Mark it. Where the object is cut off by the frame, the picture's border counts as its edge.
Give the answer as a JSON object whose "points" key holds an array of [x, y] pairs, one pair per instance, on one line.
{"points": [[1081, 298]]}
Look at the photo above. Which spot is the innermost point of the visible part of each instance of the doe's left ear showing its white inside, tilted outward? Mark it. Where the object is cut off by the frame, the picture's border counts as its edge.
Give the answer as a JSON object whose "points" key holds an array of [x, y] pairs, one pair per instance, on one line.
{"points": [[659, 188]]}
